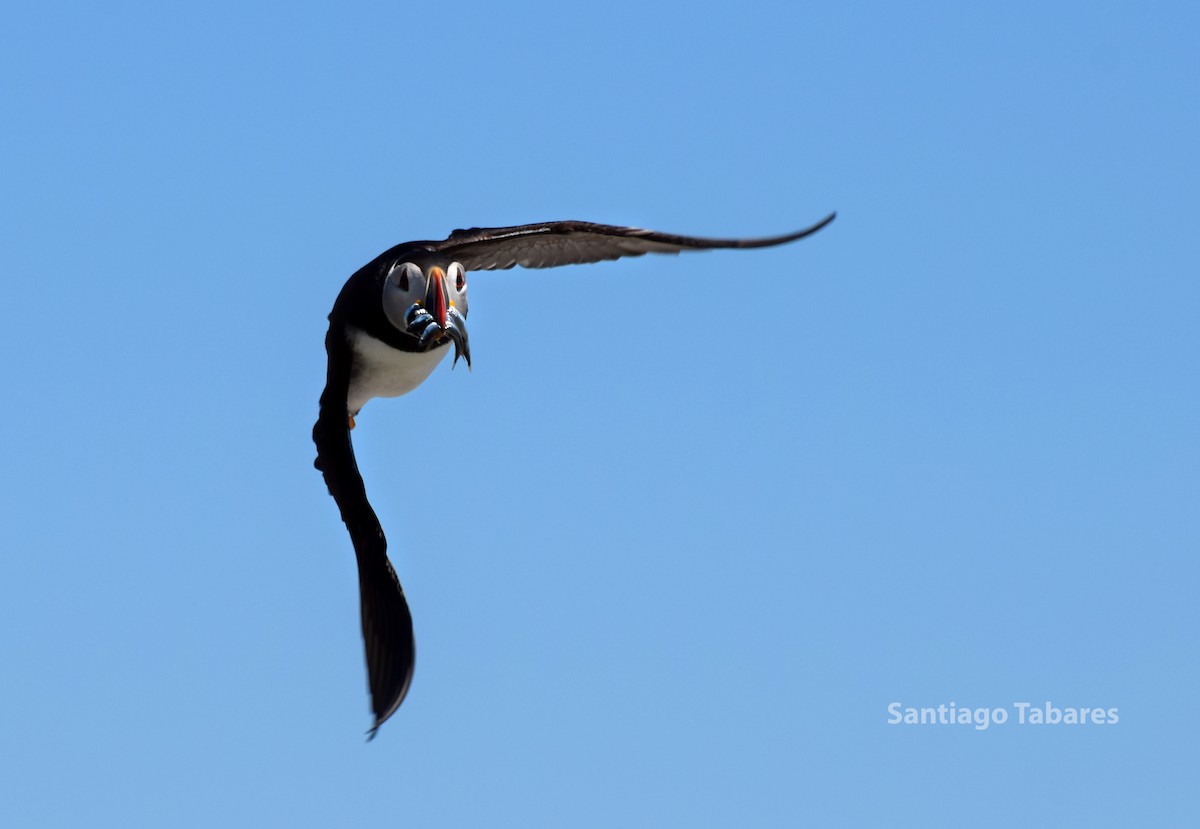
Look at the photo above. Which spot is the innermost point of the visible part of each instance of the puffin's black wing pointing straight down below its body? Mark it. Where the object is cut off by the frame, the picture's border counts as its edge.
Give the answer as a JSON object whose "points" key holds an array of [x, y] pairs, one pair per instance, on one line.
{"points": [[387, 622]]}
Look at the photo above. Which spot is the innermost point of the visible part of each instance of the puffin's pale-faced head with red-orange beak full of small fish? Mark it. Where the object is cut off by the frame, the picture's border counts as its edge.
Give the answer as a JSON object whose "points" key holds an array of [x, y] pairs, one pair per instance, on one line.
{"points": [[425, 296]]}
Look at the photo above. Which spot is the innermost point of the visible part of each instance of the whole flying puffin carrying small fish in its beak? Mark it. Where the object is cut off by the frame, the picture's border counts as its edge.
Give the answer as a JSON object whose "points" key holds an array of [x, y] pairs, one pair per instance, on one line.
{"points": [[392, 326]]}
